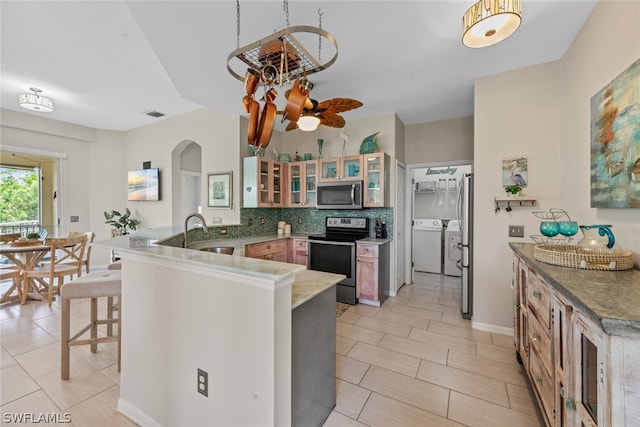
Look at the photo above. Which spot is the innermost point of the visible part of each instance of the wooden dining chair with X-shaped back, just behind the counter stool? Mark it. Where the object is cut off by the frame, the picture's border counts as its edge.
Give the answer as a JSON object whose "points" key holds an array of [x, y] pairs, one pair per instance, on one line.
{"points": [[63, 251]]}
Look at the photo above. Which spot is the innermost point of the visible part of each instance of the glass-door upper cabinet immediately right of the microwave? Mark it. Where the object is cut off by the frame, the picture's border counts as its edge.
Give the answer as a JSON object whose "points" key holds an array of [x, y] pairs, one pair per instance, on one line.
{"points": [[376, 180]]}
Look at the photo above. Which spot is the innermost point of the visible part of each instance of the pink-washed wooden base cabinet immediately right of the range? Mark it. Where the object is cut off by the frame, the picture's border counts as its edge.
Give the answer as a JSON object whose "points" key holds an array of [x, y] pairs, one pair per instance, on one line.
{"points": [[372, 272]]}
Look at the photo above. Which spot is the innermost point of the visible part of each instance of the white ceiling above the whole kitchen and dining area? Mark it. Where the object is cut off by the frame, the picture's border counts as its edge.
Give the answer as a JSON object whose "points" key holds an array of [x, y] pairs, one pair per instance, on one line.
{"points": [[105, 63]]}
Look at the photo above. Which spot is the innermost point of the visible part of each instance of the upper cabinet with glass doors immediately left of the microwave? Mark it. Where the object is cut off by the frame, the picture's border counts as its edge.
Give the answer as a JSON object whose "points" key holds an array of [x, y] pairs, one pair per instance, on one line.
{"points": [[301, 184]]}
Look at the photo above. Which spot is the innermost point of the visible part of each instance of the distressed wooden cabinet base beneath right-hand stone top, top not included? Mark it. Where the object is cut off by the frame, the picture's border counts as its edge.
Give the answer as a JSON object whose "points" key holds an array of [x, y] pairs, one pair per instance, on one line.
{"points": [[581, 375]]}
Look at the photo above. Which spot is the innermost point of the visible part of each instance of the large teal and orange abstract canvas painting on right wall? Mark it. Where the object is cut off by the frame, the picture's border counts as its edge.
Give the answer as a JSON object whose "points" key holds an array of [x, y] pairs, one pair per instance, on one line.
{"points": [[615, 142]]}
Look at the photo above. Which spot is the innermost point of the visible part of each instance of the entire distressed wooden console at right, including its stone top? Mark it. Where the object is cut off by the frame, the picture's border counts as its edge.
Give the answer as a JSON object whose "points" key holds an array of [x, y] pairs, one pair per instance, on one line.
{"points": [[581, 356]]}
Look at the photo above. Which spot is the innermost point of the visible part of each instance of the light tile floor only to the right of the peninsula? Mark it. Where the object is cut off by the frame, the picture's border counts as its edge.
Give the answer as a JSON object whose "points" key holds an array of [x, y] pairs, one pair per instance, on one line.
{"points": [[416, 362]]}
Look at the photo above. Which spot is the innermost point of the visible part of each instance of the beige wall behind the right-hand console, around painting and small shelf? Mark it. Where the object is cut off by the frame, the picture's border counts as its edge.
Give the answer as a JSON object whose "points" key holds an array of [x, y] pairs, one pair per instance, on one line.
{"points": [[543, 112]]}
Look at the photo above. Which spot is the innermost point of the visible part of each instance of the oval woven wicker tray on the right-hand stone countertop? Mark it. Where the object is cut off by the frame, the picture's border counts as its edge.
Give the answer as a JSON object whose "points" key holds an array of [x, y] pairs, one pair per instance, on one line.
{"points": [[584, 257]]}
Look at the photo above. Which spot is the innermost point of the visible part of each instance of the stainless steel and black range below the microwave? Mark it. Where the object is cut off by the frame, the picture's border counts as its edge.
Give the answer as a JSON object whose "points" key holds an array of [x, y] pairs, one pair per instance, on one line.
{"points": [[335, 252]]}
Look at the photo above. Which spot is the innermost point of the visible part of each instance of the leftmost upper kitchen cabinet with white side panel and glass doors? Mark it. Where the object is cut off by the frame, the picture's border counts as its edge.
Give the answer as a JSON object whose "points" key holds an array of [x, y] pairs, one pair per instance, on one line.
{"points": [[262, 183]]}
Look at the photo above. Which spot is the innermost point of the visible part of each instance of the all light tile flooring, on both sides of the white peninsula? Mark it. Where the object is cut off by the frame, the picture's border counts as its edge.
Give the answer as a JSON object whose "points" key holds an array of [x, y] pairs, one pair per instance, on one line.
{"points": [[412, 362]]}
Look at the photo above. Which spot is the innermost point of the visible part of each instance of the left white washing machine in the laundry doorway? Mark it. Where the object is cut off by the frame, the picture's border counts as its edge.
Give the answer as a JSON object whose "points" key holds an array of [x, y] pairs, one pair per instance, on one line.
{"points": [[427, 245]]}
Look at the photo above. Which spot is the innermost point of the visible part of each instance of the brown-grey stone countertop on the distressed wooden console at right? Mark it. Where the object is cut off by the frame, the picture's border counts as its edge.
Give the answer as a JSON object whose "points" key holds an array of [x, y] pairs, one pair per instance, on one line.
{"points": [[610, 297]]}
